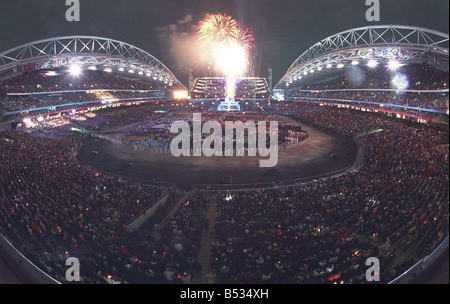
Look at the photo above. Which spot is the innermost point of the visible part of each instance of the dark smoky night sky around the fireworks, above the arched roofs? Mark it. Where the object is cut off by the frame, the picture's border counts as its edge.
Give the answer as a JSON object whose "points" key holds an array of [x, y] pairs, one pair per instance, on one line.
{"points": [[283, 29]]}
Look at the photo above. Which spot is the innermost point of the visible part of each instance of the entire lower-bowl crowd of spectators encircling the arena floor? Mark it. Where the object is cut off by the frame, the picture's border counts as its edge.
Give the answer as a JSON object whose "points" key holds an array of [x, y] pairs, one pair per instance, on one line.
{"points": [[395, 207]]}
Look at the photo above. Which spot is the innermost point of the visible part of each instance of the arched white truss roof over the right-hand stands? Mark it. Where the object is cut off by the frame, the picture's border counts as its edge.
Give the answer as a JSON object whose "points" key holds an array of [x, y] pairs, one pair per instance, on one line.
{"points": [[404, 43]]}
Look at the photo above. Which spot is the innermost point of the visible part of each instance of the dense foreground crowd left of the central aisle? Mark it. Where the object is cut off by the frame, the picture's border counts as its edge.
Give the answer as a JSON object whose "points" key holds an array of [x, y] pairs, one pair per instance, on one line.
{"points": [[52, 208]]}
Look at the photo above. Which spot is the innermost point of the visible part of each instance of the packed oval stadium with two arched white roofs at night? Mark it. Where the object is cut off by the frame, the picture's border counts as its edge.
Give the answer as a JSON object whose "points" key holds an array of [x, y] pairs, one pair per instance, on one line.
{"points": [[87, 169]]}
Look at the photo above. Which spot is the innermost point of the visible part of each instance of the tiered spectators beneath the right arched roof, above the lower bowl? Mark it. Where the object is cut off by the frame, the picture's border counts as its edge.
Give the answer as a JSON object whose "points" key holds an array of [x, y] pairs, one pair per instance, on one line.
{"points": [[381, 88]]}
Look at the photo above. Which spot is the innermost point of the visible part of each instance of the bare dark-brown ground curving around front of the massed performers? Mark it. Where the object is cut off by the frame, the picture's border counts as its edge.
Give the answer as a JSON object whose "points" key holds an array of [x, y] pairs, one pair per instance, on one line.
{"points": [[320, 154]]}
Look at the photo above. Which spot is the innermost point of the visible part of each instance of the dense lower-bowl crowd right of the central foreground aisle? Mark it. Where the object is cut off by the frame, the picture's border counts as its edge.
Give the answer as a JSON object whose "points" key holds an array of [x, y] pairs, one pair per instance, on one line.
{"points": [[395, 208]]}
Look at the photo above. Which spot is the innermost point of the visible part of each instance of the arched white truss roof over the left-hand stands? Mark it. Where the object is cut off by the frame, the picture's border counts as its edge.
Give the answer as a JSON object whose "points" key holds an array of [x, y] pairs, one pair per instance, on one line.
{"points": [[105, 53]]}
